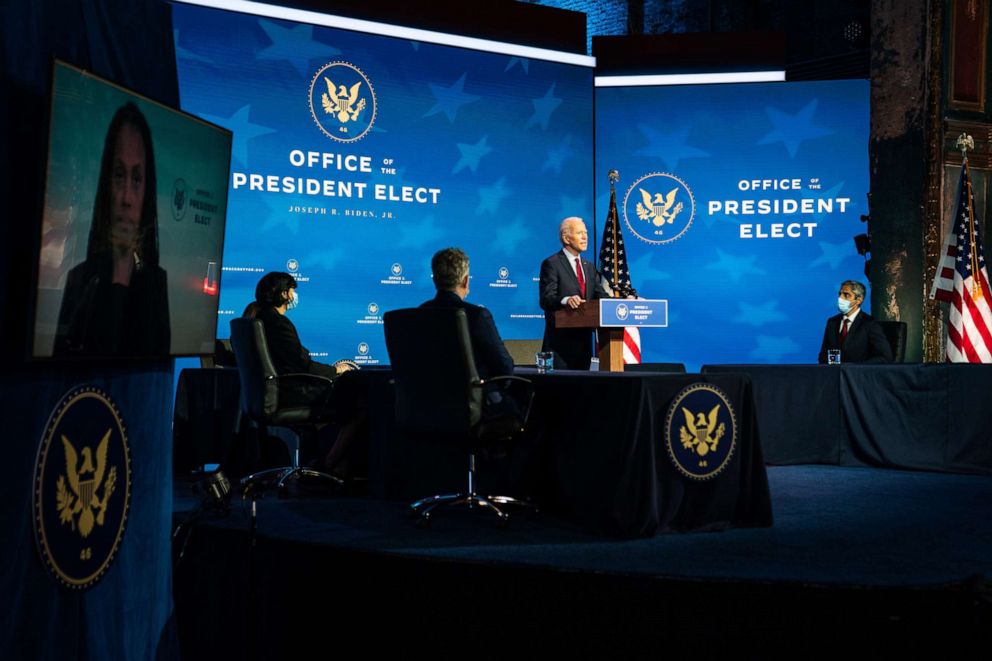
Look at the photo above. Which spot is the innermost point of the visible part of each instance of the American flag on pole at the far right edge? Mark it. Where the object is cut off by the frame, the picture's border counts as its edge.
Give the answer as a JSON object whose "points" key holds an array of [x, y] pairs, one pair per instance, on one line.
{"points": [[963, 281]]}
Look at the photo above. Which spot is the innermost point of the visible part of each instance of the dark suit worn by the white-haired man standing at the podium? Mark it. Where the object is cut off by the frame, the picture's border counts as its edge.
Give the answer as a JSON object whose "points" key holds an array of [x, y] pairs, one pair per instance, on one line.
{"points": [[558, 280]]}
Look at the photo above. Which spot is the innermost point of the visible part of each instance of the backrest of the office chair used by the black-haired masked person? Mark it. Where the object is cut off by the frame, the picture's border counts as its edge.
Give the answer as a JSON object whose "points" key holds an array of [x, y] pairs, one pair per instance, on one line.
{"points": [[259, 385]]}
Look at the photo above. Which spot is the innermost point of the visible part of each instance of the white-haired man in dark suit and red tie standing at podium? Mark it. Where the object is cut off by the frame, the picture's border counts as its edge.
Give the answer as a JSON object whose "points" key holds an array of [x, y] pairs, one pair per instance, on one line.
{"points": [[568, 281]]}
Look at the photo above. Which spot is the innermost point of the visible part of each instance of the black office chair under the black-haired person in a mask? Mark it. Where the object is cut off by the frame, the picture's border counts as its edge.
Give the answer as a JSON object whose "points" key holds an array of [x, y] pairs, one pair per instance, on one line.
{"points": [[265, 402]]}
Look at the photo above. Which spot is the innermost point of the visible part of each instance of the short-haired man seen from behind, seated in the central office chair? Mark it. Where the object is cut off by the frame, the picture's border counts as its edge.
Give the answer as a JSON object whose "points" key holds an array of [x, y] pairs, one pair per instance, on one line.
{"points": [[450, 270]]}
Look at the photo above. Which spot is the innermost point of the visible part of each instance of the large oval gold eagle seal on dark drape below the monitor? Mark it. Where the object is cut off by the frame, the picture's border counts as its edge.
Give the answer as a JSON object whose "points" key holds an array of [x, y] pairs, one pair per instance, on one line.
{"points": [[82, 487]]}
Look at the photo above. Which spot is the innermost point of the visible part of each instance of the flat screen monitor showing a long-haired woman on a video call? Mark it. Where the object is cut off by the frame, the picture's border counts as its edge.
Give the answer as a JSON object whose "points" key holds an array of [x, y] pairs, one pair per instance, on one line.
{"points": [[133, 225]]}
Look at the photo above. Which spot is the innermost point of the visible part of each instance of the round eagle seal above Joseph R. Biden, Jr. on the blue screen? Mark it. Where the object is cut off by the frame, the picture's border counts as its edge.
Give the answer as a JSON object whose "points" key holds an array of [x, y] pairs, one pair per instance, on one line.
{"points": [[342, 101]]}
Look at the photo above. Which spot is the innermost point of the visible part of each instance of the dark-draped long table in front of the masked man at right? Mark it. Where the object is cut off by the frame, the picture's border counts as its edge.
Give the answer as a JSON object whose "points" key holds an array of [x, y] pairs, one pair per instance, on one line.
{"points": [[915, 416]]}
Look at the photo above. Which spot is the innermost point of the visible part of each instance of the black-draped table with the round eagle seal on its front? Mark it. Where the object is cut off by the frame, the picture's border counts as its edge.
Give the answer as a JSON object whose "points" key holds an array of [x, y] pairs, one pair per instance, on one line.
{"points": [[594, 453]]}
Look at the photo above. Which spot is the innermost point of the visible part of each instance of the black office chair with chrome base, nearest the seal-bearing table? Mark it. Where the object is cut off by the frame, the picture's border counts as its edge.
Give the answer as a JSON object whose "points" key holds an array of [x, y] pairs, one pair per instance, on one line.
{"points": [[439, 395]]}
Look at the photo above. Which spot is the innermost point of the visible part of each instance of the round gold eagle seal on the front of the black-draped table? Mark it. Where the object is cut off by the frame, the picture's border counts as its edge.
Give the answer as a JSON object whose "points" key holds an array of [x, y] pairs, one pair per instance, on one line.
{"points": [[700, 431]]}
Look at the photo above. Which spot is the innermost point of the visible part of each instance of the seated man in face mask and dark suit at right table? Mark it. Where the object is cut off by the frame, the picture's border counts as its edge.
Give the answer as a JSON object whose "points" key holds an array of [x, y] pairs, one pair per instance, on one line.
{"points": [[858, 336]]}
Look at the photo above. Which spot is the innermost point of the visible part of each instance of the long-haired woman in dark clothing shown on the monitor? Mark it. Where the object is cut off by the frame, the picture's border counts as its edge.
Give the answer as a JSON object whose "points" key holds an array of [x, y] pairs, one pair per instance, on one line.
{"points": [[116, 301]]}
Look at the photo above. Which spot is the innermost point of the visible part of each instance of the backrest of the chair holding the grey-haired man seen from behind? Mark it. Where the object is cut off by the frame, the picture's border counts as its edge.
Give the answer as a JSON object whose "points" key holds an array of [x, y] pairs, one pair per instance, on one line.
{"points": [[430, 353]]}
